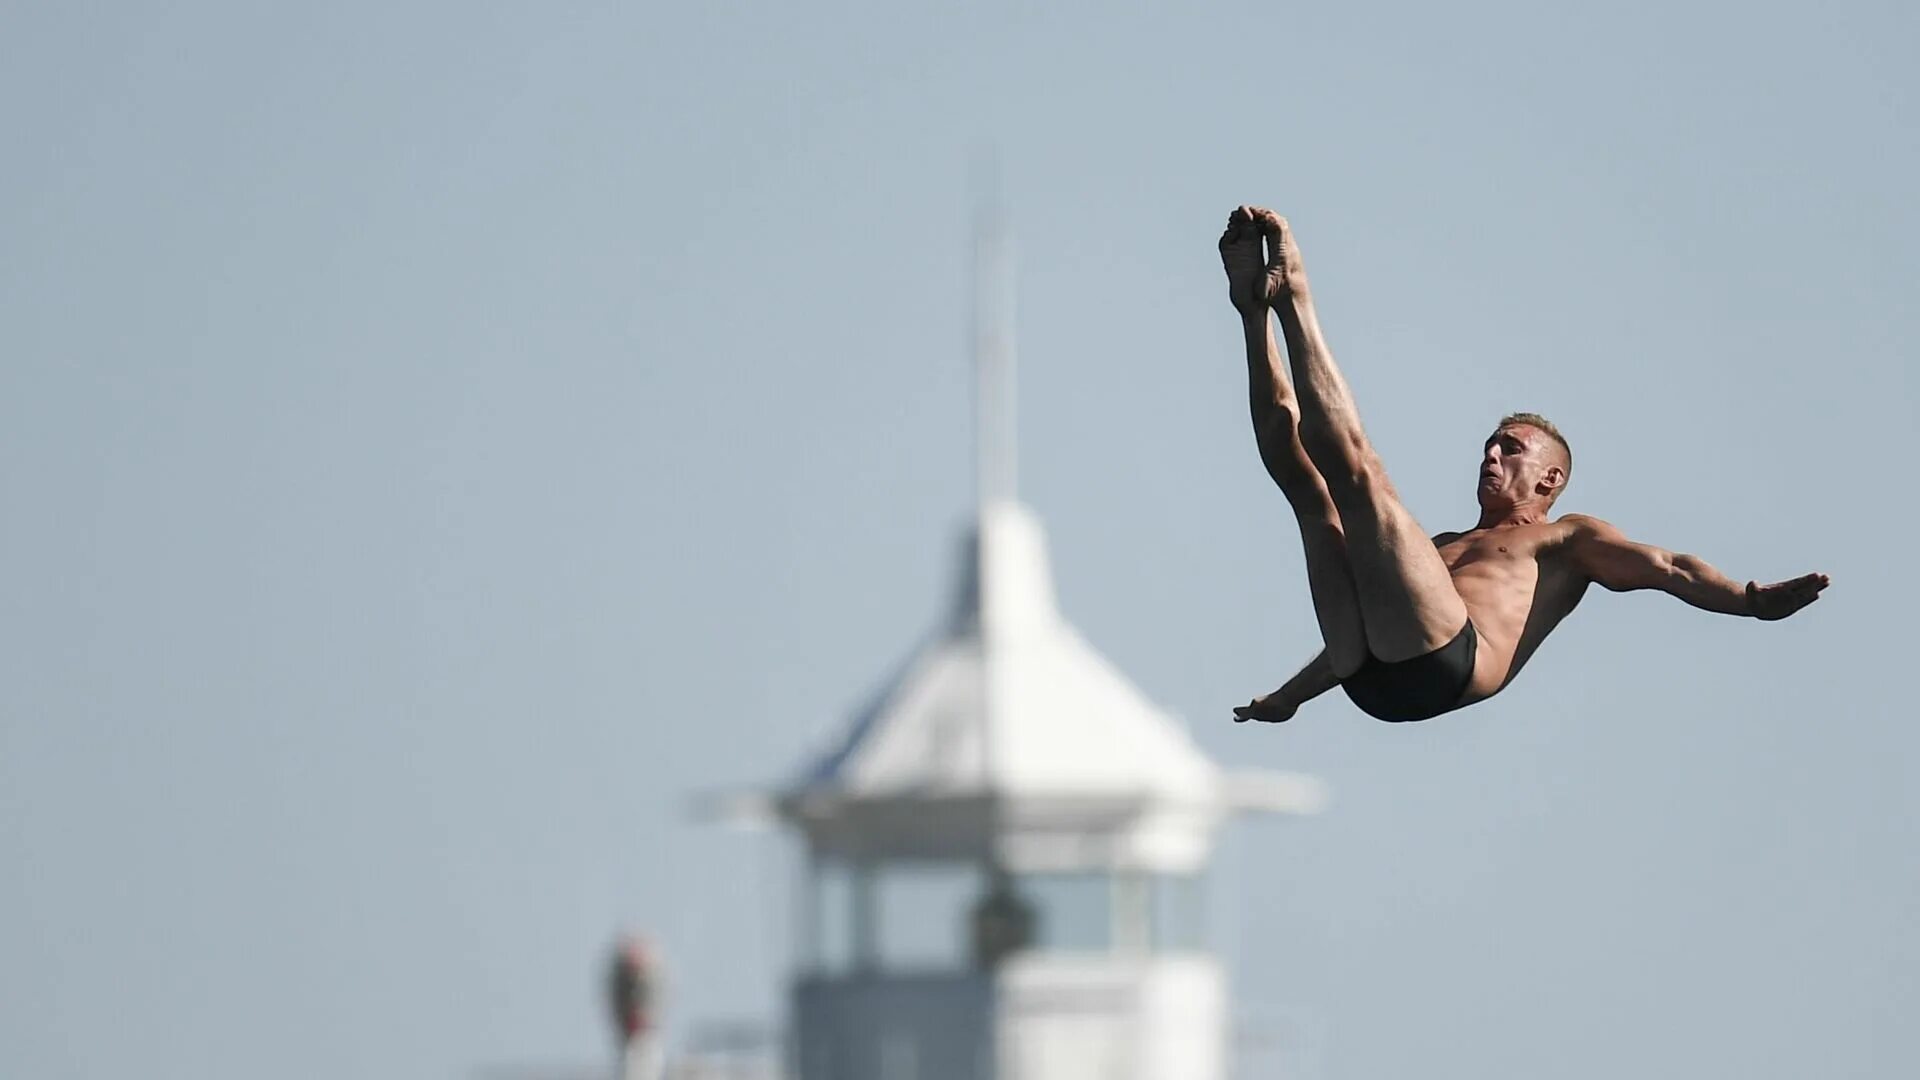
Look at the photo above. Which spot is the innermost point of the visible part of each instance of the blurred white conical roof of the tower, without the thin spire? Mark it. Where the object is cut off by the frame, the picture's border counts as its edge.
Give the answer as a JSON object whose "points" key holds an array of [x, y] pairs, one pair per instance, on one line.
{"points": [[1011, 739]]}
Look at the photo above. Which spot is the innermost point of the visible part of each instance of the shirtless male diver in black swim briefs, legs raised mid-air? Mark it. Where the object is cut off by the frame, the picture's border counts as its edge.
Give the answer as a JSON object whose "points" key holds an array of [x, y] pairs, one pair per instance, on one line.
{"points": [[1414, 626]]}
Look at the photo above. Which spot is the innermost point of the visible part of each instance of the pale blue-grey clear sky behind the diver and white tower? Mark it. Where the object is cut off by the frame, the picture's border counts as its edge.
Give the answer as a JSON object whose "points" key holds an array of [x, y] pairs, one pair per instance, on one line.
{"points": [[439, 439]]}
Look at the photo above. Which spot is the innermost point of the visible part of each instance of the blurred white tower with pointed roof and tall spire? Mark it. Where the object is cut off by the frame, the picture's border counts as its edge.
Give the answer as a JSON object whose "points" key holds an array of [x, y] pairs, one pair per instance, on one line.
{"points": [[1005, 856]]}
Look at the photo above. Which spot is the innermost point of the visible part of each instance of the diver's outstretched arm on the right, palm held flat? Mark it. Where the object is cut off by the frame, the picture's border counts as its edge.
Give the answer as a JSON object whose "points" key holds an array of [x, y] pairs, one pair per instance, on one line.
{"points": [[1616, 562]]}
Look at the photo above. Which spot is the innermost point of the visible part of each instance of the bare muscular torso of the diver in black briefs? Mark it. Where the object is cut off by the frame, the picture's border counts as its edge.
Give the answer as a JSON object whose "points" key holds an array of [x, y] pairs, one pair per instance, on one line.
{"points": [[1518, 581]]}
